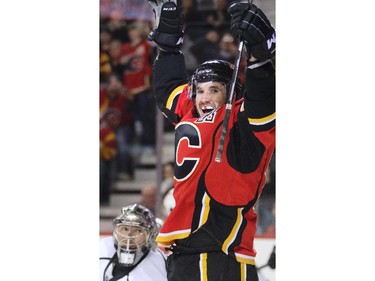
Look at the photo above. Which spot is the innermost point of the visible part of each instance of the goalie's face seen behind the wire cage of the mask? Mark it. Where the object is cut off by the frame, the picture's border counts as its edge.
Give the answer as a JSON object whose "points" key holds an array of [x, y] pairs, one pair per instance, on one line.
{"points": [[131, 236]]}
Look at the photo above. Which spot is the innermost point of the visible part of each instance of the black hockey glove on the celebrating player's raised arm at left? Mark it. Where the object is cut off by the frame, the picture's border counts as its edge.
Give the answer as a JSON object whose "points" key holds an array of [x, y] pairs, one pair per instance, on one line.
{"points": [[169, 22]]}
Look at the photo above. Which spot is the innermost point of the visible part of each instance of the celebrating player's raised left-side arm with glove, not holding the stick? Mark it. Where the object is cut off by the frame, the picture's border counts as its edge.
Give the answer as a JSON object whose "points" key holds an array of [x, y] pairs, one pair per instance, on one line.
{"points": [[169, 71]]}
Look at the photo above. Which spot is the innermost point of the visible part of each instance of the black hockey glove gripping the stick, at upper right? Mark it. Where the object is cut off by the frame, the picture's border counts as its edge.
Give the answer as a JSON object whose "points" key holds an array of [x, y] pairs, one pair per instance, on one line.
{"points": [[251, 24]]}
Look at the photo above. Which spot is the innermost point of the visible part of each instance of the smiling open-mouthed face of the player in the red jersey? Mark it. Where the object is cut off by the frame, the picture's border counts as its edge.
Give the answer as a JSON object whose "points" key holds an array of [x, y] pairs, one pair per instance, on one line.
{"points": [[209, 96]]}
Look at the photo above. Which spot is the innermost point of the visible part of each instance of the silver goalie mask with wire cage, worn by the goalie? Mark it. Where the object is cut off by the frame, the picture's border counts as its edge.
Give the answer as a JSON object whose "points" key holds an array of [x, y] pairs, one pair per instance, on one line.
{"points": [[134, 234]]}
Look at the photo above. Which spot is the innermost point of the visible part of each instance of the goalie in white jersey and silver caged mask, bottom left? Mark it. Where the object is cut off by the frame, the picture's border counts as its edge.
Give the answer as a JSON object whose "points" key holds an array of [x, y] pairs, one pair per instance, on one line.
{"points": [[131, 253]]}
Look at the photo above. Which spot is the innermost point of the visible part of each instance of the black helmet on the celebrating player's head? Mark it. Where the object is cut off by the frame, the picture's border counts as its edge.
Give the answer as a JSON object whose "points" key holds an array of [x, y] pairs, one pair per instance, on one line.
{"points": [[214, 71]]}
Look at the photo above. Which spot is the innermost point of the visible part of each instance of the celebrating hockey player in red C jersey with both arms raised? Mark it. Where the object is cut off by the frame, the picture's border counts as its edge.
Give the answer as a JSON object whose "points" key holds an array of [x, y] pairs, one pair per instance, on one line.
{"points": [[211, 228]]}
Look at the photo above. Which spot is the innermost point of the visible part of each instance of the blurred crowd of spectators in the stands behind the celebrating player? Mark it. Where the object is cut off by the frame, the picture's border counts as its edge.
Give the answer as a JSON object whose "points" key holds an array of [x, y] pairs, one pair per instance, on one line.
{"points": [[127, 108]]}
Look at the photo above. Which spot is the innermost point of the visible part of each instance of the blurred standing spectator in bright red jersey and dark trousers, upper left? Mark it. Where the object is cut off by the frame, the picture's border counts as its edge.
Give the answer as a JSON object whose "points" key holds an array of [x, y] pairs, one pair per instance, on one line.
{"points": [[136, 57]]}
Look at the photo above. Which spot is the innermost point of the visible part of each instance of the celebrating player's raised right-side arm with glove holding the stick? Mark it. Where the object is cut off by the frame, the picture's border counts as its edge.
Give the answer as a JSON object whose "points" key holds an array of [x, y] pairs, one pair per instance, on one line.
{"points": [[252, 25]]}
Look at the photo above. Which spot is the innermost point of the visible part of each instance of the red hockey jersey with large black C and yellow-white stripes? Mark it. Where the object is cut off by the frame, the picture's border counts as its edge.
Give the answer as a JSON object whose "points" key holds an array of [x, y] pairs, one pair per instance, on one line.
{"points": [[218, 197]]}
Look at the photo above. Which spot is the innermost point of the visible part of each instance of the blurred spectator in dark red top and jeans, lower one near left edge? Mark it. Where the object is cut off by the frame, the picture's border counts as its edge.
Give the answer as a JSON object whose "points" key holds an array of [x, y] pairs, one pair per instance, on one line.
{"points": [[114, 100]]}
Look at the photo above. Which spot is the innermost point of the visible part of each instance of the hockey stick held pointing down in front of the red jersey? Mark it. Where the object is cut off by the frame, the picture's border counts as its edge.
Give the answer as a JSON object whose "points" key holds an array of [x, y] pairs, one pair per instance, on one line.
{"points": [[228, 107]]}
